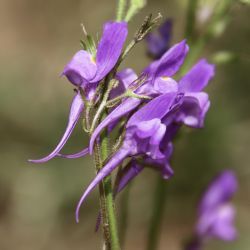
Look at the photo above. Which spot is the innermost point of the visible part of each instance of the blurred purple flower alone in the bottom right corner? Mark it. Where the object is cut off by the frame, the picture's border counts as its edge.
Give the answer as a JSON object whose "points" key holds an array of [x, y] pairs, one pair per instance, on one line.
{"points": [[216, 213]]}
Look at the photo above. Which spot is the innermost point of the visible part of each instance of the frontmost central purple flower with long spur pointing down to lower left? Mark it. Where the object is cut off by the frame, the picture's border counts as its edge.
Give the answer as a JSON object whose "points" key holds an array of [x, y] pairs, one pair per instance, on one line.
{"points": [[145, 132]]}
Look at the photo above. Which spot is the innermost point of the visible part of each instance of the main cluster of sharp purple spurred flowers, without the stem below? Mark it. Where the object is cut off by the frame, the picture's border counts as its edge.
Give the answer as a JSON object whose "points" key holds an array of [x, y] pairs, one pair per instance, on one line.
{"points": [[149, 108]]}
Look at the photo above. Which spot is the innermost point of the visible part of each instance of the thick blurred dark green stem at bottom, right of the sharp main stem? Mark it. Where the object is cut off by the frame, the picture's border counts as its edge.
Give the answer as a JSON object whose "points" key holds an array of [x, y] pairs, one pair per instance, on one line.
{"points": [[159, 201]]}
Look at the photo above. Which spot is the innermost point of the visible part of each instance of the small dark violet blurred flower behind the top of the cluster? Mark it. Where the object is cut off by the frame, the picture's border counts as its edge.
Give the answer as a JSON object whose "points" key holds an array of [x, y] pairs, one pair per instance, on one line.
{"points": [[159, 43]]}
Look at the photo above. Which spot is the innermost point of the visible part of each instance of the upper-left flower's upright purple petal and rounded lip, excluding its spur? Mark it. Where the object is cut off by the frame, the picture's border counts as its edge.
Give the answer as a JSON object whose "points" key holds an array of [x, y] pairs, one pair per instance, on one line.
{"points": [[86, 69]]}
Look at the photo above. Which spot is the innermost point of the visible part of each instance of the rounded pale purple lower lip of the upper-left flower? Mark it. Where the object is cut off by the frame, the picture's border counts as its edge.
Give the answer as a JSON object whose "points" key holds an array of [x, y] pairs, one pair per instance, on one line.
{"points": [[81, 68]]}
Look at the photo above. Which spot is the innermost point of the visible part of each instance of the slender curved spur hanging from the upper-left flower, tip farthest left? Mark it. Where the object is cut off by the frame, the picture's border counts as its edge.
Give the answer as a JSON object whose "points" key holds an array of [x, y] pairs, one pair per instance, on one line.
{"points": [[74, 115]]}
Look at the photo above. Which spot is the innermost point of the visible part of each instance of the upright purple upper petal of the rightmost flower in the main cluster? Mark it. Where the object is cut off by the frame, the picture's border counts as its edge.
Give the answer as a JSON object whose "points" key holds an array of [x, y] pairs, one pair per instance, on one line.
{"points": [[197, 78]]}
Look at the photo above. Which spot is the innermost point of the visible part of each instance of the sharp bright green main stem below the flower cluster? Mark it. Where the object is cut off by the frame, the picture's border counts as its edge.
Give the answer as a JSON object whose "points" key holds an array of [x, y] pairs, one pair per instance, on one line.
{"points": [[109, 210]]}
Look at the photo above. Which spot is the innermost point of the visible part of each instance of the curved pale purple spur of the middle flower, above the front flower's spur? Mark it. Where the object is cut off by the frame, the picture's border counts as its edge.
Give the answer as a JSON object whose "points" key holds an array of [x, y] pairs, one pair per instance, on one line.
{"points": [[124, 108]]}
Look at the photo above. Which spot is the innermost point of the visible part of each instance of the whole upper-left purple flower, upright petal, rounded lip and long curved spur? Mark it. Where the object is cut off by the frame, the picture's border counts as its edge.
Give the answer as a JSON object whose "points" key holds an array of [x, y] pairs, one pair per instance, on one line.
{"points": [[86, 71]]}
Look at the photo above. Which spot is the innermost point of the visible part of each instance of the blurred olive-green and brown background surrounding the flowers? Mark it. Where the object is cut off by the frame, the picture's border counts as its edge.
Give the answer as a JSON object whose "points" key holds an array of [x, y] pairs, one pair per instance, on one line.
{"points": [[37, 202]]}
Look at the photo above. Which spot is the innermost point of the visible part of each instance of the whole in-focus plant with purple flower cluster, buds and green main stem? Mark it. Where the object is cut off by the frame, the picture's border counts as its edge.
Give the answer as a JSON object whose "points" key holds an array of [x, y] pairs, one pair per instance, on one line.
{"points": [[149, 109]]}
